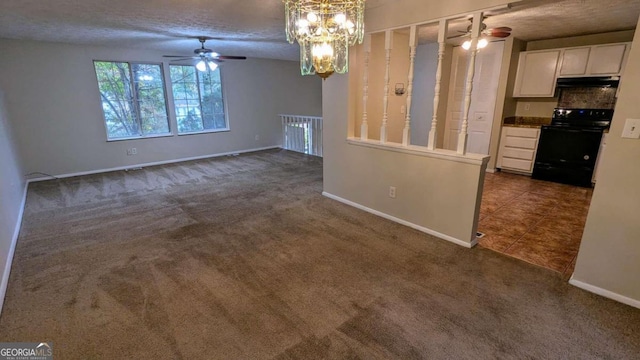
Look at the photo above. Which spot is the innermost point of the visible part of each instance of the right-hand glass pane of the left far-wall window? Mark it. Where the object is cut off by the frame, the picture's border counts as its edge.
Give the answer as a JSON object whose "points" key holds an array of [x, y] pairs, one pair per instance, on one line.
{"points": [[149, 86]]}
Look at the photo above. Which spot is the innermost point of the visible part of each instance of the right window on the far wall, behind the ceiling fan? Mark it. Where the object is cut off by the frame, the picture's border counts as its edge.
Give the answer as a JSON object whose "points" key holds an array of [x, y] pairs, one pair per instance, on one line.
{"points": [[198, 101]]}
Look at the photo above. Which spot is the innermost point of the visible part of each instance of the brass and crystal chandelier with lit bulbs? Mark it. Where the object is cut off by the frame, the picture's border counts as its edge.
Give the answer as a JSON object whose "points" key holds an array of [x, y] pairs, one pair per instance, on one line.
{"points": [[324, 30]]}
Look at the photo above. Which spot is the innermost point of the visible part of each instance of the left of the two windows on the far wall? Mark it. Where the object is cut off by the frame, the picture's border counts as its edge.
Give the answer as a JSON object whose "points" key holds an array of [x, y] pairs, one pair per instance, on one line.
{"points": [[133, 99]]}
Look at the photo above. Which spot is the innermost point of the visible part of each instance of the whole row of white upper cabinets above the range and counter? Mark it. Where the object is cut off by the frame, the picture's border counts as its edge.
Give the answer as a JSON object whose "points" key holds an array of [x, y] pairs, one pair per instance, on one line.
{"points": [[538, 70]]}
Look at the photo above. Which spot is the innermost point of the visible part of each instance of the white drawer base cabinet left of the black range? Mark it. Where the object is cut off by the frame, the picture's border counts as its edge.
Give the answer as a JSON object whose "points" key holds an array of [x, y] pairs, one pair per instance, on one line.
{"points": [[518, 149]]}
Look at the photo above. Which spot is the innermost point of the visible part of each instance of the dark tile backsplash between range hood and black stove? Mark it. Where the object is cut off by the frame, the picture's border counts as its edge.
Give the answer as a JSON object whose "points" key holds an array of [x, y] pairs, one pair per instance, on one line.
{"points": [[588, 98]]}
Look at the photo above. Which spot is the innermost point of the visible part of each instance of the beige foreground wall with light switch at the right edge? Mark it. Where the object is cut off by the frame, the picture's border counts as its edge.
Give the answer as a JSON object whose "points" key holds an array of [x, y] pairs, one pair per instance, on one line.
{"points": [[609, 258]]}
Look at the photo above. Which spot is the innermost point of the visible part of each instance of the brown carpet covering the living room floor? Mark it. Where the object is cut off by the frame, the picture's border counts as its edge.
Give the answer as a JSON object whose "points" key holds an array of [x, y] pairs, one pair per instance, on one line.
{"points": [[243, 258]]}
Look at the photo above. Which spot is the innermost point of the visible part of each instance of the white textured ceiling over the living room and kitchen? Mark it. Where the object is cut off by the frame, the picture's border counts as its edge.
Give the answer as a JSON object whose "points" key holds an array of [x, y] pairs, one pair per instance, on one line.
{"points": [[254, 28]]}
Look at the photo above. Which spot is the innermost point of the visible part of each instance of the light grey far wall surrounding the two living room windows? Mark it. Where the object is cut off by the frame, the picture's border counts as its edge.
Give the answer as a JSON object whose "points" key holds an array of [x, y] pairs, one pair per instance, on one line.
{"points": [[53, 102]]}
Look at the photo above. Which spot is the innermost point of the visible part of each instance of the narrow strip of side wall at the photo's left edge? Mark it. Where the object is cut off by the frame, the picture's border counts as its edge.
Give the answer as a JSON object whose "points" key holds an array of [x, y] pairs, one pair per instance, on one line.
{"points": [[12, 188]]}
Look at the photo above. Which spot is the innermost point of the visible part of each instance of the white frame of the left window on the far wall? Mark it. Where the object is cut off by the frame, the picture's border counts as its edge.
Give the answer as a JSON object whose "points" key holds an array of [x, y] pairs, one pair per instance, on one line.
{"points": [[136, 105]]}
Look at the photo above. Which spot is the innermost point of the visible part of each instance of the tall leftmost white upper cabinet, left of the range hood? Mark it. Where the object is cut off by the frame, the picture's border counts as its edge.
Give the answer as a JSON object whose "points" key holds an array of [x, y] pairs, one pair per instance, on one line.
{"points": [[536, 75]]}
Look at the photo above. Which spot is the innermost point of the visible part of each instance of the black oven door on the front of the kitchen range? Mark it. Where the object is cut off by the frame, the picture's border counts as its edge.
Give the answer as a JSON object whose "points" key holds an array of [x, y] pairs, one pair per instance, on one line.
{"points": [[567, 154]]}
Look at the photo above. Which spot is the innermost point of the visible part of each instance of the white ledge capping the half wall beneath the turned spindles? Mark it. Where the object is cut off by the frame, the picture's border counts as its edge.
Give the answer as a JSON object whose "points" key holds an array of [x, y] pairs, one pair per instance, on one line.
{"points": [[476, 159]]}
